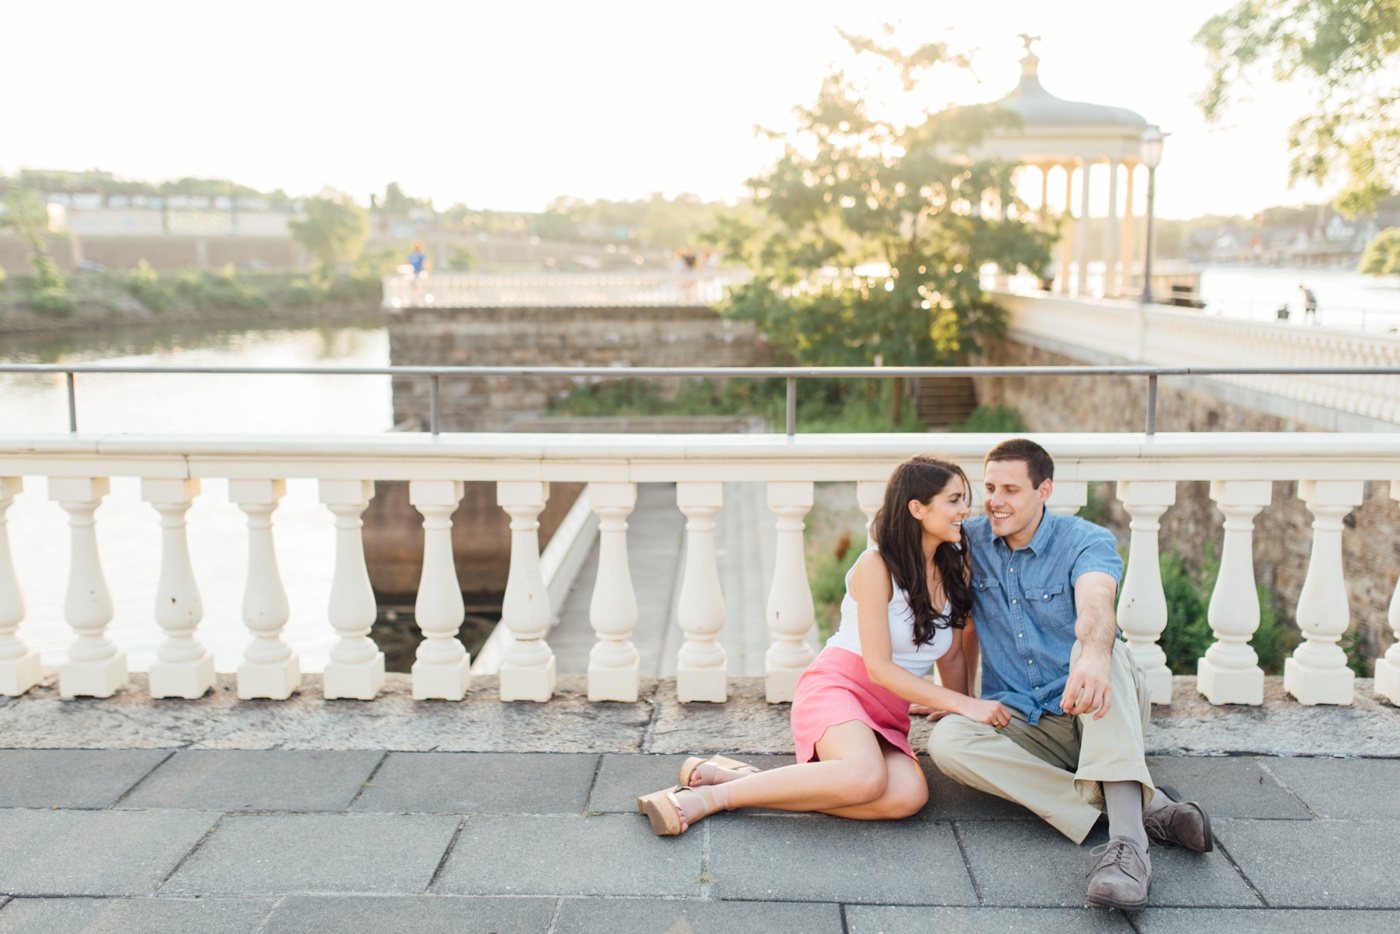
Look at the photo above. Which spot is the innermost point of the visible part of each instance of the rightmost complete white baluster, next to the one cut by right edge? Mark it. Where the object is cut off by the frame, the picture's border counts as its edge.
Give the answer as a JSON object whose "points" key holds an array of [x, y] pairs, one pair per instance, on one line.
{"points": [[1318, 671]]}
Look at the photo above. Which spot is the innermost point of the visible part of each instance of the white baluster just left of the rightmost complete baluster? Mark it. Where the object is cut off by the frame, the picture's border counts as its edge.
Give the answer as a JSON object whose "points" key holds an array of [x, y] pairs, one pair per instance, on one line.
{"points": [[1230, 673]]}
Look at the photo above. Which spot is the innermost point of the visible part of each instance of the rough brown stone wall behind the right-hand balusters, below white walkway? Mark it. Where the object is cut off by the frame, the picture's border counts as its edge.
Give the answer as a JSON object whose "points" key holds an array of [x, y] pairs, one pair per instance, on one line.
{"points": [[1283, 533]]}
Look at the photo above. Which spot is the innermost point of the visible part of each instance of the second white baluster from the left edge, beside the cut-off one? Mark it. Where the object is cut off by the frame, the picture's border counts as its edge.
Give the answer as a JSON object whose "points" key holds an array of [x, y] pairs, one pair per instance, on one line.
{"points": [[96, 667]]}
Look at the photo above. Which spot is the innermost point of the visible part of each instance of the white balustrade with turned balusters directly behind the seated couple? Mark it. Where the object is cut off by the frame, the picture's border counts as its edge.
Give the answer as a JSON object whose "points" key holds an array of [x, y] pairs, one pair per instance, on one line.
{"points": [[1331, 471]]}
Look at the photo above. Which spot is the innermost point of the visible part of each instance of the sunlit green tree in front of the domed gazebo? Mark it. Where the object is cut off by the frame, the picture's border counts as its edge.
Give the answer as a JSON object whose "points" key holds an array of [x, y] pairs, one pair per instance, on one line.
{"points": [[852, 190]]}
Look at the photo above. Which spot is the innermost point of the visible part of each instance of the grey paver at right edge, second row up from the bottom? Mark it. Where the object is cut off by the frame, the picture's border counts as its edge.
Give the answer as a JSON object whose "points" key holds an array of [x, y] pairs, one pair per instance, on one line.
{"points": [[1319, 863]]}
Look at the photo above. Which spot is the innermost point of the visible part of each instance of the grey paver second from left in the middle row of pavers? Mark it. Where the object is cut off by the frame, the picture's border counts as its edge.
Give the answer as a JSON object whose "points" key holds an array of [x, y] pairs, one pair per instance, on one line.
{"points": [[317, 853]]}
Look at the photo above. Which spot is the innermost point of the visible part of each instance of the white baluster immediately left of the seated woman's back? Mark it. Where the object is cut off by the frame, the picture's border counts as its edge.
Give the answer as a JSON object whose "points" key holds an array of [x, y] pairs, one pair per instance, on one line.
{"points": [[790, 613]]}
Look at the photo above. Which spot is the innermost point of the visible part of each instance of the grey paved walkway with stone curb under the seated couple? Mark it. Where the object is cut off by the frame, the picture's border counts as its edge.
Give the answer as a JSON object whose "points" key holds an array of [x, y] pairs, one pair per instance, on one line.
{"points": [[223, 816]]}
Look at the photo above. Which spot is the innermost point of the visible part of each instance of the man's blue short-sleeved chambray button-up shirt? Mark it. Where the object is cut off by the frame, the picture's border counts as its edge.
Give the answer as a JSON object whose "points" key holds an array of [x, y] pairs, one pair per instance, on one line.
{"points": [[1023, 604]]}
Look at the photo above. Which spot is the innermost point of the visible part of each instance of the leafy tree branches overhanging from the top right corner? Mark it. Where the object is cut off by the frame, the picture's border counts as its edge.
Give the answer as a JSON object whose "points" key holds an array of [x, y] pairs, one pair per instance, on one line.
{"points": [[1345, 53]]}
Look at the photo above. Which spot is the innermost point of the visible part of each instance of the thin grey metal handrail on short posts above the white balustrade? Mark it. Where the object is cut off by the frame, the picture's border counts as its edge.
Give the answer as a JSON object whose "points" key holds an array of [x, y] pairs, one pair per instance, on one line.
{"points": [[792, 375]]}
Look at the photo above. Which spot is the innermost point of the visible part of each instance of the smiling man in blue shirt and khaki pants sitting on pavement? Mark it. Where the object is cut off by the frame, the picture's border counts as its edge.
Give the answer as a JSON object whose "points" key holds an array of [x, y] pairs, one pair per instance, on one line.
{"points": [[1044, 592]]}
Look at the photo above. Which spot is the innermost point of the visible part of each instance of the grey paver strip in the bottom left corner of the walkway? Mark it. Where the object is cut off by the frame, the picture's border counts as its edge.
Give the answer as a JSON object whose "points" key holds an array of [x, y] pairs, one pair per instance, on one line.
{"points": [[125, 916]]}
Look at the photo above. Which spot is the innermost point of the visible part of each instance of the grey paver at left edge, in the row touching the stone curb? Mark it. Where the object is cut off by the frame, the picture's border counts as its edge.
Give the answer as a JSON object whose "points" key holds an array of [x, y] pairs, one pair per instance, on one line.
{"points": [[72, 778]]}
